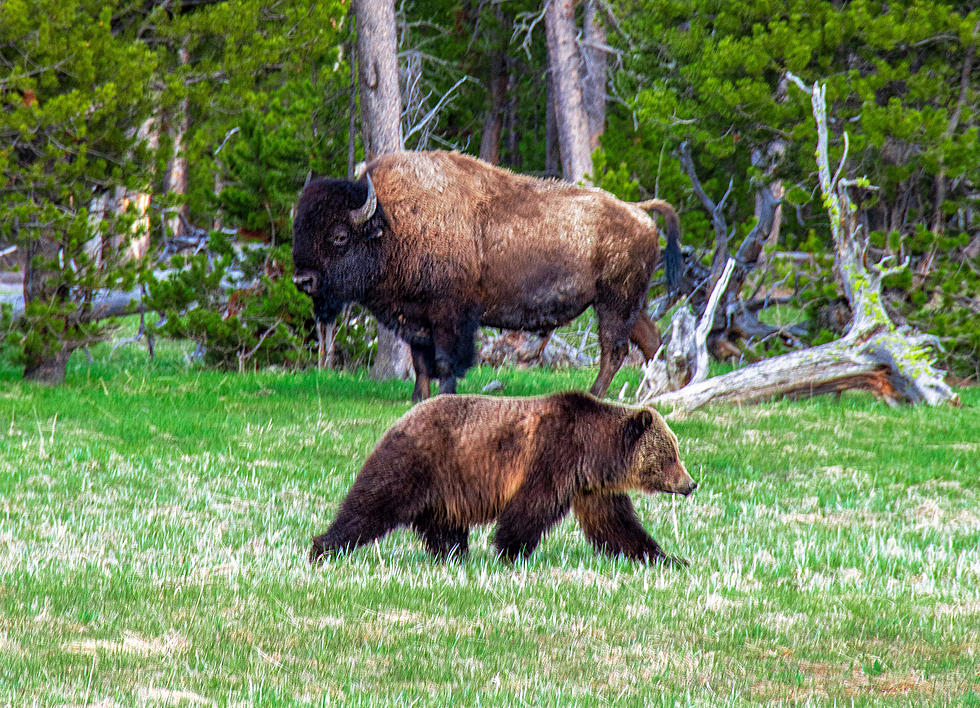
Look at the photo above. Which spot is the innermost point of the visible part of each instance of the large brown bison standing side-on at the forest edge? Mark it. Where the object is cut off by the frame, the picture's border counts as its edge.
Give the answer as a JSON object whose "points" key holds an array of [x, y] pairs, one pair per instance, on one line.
{"points": [[434, 244]]}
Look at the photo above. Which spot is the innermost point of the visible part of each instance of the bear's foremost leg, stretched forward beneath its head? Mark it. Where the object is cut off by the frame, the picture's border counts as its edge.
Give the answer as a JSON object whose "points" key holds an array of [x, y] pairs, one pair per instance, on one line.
{"points": [[612, 527]]}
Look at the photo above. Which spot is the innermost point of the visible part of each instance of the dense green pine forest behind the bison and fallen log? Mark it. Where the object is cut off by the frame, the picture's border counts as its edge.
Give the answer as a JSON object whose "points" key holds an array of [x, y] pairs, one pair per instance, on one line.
{"points": [[158, 148]]}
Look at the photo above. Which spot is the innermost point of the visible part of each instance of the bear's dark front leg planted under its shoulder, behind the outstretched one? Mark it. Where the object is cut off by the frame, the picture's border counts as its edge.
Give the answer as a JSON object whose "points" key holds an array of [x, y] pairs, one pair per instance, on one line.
{"points": [[528, 516]]}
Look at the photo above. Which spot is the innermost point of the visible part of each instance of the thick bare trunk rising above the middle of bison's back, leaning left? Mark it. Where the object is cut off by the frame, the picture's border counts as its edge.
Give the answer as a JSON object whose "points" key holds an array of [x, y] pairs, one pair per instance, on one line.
{"points": [[563, 61]]}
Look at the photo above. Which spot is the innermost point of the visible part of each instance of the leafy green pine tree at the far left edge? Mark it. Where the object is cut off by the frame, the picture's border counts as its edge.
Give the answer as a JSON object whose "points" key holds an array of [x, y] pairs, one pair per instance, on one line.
{"points": [[73, 98]]}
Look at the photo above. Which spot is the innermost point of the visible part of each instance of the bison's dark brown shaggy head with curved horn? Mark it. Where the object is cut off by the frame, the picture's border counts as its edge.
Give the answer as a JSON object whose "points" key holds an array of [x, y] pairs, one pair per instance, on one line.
{"points": [[336, 243]]}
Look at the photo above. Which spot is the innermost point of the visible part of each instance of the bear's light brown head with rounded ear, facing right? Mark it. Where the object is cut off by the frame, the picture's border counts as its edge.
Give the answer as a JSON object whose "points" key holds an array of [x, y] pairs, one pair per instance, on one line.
{"points": [[653, 458]]}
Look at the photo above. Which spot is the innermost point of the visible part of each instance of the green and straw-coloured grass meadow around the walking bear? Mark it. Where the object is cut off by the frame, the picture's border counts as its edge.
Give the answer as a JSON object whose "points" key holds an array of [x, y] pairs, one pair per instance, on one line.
{"points": [[155, 520]]}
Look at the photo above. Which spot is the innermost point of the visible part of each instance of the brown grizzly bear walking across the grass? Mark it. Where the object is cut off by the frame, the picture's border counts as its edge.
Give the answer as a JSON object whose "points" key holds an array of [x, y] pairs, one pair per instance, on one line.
{"points": [[456, 461]]}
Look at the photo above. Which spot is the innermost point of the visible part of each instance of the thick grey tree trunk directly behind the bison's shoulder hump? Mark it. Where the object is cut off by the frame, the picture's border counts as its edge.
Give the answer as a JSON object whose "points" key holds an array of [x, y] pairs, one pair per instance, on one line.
{"points": [[377, 62]]}
